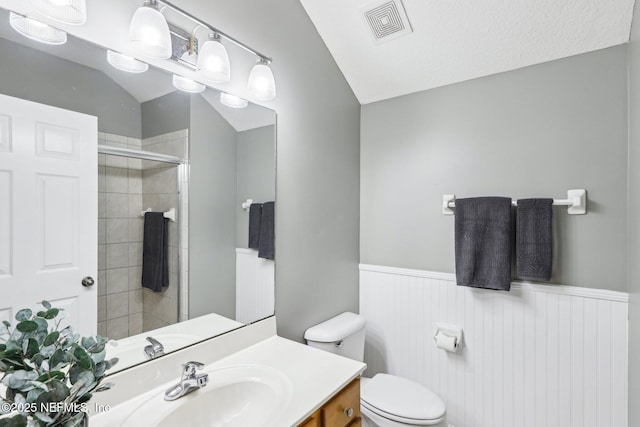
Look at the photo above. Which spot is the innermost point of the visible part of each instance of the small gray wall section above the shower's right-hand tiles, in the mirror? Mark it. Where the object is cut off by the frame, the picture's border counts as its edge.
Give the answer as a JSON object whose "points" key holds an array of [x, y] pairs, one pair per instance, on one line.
{"points": [[166, 114]]}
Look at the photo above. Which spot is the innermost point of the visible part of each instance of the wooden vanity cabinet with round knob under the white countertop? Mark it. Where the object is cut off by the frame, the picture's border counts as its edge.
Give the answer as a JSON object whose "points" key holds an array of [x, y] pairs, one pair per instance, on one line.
{"points": [[343, 410]]}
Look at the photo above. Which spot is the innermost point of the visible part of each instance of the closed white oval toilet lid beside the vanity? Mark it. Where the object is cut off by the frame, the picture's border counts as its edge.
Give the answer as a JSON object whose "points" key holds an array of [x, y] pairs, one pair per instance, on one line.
{"points": [[401, 400]]}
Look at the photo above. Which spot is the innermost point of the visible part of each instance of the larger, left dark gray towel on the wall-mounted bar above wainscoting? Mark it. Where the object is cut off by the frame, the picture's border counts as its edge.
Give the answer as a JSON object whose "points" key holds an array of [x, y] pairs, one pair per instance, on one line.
{"points": [[483, 242]]}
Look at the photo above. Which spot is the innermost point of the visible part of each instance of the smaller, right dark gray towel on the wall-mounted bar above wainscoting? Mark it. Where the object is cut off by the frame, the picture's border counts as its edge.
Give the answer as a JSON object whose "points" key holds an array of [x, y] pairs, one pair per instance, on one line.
{"points": [[534, 239]]}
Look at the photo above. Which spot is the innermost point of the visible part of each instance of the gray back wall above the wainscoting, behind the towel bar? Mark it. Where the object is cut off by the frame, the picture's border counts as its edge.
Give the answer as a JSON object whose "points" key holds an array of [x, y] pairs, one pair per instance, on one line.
{"points": [[533, 132]]}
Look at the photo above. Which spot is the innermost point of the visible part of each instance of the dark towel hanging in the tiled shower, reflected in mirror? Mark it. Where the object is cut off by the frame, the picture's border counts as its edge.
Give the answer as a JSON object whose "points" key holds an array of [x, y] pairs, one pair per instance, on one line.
{"points": [[155, 266]]}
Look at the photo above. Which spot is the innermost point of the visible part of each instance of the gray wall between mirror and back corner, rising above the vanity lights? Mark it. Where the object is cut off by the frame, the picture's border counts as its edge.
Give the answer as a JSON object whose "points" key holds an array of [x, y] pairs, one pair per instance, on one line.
{"points": [[317, 211]]}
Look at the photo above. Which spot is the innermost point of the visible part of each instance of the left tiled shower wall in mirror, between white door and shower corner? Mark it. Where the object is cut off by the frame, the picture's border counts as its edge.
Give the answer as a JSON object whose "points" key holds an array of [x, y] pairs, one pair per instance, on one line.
{"points": [[119, 240]]}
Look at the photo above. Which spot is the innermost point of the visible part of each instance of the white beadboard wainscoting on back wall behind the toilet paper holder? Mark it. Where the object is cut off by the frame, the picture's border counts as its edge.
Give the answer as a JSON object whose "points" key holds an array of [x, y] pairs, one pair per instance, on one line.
{"points": [[538, 356]]}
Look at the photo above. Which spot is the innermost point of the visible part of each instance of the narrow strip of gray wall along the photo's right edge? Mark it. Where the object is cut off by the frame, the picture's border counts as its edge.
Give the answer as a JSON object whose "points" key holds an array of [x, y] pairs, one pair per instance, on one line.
{"points": [[634, 222]]}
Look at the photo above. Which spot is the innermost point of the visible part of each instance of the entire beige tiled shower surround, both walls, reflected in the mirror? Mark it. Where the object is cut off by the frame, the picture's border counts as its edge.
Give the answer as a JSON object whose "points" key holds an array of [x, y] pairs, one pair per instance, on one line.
{"points": [[127, 187]]}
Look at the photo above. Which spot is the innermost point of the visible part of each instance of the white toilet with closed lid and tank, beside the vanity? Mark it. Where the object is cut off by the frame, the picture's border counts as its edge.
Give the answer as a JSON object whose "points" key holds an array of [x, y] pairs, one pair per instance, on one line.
{"points": [[385, 400]]}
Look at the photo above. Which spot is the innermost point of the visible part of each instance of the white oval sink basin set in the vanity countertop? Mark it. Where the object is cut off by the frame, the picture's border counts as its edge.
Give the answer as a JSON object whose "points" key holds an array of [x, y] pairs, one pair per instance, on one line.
{"points": [[237, 396]]}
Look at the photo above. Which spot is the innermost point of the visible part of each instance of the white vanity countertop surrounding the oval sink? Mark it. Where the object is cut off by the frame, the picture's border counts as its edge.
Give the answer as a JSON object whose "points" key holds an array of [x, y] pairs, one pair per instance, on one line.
{"points": [[315, 376]]}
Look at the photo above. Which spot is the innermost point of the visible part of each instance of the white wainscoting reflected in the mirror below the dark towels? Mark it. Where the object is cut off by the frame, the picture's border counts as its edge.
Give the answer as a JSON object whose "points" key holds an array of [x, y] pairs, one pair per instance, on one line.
{"points": [[255, 290]]}
